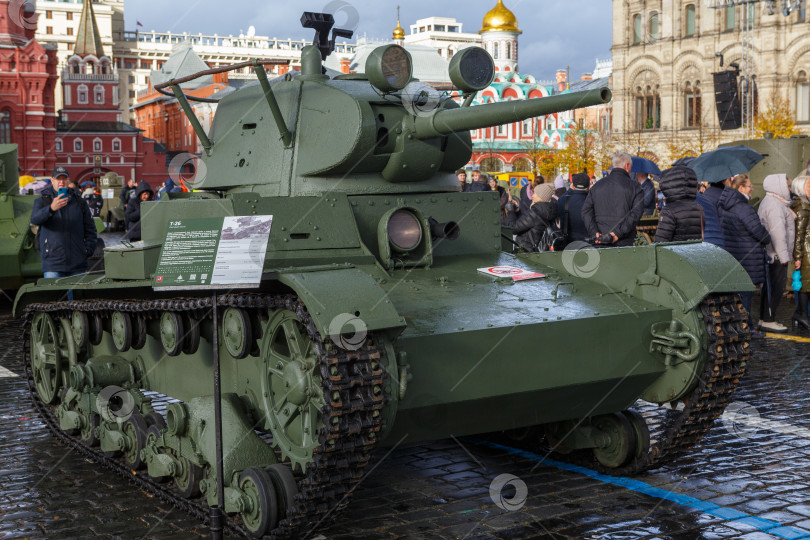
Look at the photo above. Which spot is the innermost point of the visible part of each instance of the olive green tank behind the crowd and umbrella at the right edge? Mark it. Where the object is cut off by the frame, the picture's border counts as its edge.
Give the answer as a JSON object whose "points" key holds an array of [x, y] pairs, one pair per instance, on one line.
{"points": [[789, 156]]}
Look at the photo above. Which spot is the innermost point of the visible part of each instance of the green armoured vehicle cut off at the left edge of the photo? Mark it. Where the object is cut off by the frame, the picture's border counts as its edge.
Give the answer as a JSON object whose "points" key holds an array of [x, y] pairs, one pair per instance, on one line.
{"points": [[19, 254]]}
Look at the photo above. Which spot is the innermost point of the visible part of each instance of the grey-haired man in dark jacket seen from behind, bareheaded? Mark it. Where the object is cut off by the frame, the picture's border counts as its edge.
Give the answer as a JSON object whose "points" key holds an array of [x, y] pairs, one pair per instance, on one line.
{"points": [[614, 205]]}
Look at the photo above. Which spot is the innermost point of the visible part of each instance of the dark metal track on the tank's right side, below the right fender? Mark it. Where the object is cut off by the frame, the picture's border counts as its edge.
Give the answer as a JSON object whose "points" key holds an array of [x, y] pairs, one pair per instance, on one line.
{"points": [[673, 433]]}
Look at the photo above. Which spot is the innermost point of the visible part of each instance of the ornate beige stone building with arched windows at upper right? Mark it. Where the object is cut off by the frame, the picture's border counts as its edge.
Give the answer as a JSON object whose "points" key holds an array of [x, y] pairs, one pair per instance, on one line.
{"points": [[664, 54]]}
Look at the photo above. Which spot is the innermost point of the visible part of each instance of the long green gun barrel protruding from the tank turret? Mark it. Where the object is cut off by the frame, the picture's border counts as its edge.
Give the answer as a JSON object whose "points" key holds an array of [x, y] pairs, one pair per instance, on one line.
{"points": [[444, 122]]}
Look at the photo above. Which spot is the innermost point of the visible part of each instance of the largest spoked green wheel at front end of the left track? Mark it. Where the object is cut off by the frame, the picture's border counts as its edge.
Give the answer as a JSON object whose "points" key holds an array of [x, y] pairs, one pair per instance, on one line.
{"points": [[293, 388]]}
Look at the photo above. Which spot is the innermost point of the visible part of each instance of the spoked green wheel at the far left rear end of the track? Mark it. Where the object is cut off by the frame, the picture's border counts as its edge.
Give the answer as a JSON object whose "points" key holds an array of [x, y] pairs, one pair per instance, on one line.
{"points": [[46, 359]]}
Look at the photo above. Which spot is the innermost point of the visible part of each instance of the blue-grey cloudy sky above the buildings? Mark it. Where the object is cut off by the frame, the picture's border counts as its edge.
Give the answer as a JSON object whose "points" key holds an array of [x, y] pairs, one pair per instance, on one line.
{"points": [[555, 34]]}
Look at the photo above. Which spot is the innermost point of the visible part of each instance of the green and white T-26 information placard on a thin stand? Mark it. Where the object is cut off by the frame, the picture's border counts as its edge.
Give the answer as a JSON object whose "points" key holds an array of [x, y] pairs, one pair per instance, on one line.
{"points": [[213, 252]]}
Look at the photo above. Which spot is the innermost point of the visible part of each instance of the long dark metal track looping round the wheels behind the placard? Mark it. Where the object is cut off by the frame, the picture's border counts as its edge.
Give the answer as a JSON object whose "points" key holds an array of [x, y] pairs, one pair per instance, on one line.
{"points": [[329, 480]]}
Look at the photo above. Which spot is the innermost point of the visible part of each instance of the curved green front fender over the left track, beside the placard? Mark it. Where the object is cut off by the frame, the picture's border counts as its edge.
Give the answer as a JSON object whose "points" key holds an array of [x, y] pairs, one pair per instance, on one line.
{"points": [[345, 300]]}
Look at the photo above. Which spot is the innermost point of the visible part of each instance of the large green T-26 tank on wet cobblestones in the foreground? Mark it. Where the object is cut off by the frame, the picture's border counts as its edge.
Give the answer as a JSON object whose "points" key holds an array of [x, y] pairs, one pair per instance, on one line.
{"points": [[374, 322]]}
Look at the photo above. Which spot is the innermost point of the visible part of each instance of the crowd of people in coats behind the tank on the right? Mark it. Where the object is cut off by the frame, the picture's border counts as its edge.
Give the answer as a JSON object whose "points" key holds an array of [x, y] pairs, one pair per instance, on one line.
{"points": [[769, 243]]}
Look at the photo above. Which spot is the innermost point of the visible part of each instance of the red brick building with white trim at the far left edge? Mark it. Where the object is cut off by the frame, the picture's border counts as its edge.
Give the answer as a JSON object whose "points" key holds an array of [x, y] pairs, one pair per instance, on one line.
{"points": [[27, 85]]}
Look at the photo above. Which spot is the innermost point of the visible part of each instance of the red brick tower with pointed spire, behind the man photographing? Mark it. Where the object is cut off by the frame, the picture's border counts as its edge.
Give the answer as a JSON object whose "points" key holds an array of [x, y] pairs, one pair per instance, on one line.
{"points": [[90, 138]]}
